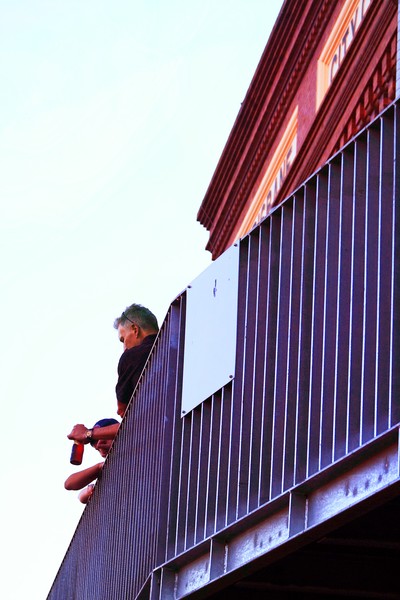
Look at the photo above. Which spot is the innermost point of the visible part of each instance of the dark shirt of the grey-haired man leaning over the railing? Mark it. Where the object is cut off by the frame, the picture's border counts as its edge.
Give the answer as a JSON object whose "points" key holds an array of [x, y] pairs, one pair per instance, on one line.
{"points": [[130, 367]]}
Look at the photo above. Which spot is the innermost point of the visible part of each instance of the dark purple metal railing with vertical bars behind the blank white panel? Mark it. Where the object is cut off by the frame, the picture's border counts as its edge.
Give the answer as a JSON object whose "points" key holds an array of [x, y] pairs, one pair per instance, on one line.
{"points": [[316, 382]]}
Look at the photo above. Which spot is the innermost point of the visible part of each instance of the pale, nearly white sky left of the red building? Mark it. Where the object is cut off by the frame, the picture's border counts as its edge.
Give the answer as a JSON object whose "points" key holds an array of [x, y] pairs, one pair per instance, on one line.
{"points": [[113, 115]]}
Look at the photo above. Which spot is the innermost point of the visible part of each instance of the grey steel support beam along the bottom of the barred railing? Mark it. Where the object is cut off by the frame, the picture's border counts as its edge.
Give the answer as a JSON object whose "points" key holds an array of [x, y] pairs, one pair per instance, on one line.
{"points": [[297, 518]]}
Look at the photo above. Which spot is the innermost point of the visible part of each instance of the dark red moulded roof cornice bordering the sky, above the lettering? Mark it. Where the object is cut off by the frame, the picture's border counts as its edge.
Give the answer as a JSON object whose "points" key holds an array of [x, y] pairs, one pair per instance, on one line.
{"points": [[274, 85]]}
